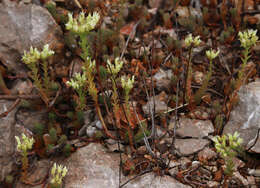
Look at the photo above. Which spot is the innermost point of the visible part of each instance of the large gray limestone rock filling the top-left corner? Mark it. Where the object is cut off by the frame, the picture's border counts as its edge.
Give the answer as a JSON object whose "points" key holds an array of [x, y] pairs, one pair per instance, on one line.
{"points": [[23, 26]]}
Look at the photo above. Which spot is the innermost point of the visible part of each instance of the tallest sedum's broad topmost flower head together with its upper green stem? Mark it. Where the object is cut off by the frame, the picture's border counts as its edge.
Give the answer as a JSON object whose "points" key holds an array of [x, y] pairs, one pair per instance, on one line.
{"points": [[81, 26]]}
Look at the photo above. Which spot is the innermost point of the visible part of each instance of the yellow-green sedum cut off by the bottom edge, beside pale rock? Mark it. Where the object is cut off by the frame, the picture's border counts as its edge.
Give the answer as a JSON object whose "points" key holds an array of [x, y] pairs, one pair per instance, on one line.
{"points": [[58, 172]]}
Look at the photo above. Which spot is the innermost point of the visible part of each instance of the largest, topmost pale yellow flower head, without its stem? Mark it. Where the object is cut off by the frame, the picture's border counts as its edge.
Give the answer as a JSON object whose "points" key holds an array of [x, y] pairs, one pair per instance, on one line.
{"points": [[82, 24]]}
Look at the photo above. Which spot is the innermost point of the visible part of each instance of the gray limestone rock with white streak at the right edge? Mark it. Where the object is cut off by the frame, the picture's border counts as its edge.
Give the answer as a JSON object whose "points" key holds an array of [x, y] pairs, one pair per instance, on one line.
{"points": [[245, 117]]}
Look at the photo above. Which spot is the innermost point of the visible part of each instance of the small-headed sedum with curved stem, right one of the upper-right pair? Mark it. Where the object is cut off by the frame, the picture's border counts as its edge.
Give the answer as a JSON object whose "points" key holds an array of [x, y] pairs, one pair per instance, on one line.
{"points": [[211, 54]]}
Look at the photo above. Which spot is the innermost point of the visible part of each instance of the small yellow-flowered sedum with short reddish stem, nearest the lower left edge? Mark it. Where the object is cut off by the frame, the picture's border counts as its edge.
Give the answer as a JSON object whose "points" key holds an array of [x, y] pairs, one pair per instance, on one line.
{"points": [[23, 146]]}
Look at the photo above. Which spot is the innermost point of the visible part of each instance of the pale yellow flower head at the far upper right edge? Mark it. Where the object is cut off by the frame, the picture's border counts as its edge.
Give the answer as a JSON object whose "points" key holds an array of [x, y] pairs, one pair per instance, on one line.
{"points": [[248, 38]]}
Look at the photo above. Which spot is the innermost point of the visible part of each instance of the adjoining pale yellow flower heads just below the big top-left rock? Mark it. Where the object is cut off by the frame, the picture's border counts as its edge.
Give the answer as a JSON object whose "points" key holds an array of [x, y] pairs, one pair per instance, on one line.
{"points": [[33, 56]]}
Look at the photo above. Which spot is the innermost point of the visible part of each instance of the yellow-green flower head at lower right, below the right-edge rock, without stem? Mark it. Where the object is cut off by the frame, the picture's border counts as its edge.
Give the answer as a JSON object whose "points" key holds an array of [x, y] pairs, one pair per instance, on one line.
{"points": [[227, 145]]}
